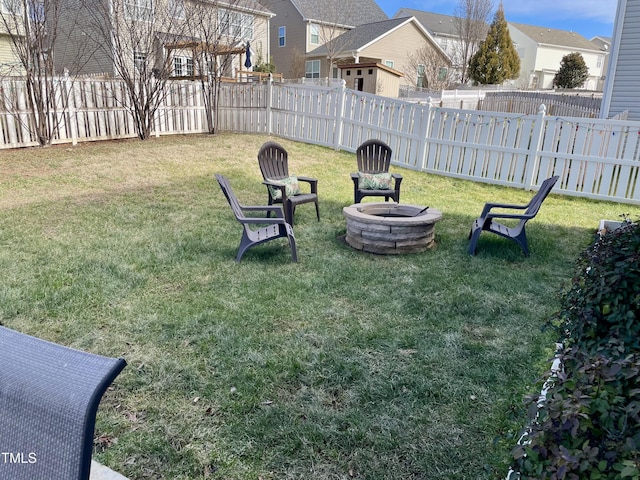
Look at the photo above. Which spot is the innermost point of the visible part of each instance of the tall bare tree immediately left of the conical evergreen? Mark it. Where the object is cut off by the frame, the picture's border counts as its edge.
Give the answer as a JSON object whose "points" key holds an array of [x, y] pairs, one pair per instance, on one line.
{"points": [[471, 21]]}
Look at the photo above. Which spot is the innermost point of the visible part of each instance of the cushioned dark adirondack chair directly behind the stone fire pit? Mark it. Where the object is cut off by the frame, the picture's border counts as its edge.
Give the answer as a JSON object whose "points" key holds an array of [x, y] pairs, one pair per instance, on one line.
{"points": [[374, 158]]}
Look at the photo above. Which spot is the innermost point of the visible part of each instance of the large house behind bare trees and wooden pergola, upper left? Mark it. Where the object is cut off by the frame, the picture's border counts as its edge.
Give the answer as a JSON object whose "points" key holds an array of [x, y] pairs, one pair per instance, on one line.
{"points": [[164, 36]]}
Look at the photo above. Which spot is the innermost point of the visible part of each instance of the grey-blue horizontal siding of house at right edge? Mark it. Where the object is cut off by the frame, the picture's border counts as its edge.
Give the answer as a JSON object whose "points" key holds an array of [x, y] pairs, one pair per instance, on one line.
{"points": [[622, 84]]}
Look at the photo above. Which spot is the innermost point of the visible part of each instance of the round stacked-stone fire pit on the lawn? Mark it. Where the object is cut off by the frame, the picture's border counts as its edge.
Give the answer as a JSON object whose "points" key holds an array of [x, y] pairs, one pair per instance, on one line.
{"points": [[390, 228]]}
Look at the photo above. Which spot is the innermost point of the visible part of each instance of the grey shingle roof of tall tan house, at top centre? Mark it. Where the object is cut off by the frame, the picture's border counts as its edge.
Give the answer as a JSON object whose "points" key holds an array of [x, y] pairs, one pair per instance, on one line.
{"points": [[344, 12]]}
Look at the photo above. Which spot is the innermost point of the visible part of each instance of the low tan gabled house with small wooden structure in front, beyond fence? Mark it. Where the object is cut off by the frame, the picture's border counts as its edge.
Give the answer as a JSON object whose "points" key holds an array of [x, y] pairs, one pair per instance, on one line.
{"points": [[376, 57]]}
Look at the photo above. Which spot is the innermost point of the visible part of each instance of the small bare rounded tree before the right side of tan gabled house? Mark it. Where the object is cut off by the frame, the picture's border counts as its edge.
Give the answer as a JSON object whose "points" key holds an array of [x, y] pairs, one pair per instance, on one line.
{"points": [[430, 69]]}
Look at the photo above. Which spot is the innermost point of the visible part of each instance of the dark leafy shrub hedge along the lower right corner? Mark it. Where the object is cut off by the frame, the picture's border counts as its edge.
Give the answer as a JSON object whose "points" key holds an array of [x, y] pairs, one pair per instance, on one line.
{"points": [[587, 426]]}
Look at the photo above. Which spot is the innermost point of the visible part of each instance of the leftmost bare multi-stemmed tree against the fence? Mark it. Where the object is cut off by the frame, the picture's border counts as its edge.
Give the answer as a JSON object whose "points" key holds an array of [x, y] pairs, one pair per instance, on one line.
{"points": [[32, 27]]}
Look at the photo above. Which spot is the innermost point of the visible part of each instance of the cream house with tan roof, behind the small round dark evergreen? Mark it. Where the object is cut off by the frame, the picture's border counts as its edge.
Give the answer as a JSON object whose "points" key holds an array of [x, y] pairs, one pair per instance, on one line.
{"points": [[541, 51]]}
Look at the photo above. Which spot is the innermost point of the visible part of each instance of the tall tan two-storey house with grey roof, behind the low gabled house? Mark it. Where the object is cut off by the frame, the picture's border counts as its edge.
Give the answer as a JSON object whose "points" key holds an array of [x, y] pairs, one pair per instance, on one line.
{"points": [[301, 26]]}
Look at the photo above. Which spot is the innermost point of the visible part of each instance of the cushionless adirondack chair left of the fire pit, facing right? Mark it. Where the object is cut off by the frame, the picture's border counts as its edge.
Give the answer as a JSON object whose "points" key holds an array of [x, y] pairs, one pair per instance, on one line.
{"points": [[276, 227]]}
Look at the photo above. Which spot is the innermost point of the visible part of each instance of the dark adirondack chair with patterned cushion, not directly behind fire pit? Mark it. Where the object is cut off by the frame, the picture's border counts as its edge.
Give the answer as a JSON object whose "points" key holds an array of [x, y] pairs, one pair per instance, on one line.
{"points": [[274, 165]]}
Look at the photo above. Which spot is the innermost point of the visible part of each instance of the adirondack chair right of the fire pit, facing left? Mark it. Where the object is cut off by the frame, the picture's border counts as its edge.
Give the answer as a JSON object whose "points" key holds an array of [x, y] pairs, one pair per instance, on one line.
{"points": [[487, 220]]}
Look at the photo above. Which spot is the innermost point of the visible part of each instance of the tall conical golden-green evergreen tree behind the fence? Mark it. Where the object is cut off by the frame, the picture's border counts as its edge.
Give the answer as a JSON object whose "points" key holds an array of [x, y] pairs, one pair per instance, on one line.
{"points": [[497, 59]]}
